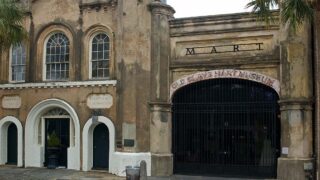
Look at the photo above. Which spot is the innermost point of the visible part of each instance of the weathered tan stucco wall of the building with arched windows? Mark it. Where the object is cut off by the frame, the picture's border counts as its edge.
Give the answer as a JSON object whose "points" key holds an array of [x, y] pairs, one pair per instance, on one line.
{"points": [[128, 25]]}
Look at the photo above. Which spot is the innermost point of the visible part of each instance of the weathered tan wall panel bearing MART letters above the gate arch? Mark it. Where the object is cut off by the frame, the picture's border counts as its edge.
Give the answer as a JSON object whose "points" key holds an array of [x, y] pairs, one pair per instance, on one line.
{"points": [[233, 41]]}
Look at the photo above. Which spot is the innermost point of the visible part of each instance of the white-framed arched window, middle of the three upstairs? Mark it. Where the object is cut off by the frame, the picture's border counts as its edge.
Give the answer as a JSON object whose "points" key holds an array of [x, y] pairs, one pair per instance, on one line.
{"points": [[57, 57]]}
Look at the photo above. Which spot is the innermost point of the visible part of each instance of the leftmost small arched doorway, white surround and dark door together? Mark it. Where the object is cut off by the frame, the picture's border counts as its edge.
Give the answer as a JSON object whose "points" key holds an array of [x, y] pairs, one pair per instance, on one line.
{"points": [[11, 141]]}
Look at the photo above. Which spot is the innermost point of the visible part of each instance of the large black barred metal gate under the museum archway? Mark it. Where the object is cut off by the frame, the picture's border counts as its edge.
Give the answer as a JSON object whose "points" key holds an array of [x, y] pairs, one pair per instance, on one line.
{"points": [[226, 127]]}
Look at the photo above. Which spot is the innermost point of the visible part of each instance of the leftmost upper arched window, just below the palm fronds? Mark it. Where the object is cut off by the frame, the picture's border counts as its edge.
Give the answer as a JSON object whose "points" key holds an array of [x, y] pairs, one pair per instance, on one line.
{"points": [[18, 63]]}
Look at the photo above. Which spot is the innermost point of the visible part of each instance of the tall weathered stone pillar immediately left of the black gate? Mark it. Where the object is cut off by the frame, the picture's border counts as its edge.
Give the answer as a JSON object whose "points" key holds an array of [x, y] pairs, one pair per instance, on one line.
{"points": [[160, 121]]}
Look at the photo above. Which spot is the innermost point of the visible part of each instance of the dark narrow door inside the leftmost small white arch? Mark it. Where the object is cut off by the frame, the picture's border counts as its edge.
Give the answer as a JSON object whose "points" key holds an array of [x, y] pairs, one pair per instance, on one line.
{"points": [[12, 145]]}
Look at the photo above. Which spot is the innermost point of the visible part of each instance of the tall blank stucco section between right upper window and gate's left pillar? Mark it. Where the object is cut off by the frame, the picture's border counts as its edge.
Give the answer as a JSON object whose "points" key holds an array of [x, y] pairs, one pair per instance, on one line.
{"points": [[133, 71]]}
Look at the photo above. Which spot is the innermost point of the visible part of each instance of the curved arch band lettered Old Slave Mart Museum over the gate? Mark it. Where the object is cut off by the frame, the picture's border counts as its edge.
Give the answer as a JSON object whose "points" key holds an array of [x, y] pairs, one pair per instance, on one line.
{"points": [[225, 73]]}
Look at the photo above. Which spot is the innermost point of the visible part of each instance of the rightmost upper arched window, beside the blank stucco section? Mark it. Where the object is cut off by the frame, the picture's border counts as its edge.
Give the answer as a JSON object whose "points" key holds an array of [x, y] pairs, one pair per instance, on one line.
{"points": [[100, 56]]}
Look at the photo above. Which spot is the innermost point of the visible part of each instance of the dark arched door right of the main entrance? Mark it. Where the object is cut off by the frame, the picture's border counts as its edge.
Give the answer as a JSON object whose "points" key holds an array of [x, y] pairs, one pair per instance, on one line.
{"points": [[101, 147]]}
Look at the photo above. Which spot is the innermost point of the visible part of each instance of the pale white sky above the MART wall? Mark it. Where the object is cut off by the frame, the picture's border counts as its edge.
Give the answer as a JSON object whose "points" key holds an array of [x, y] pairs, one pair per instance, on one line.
{"points": [[188, 8]]}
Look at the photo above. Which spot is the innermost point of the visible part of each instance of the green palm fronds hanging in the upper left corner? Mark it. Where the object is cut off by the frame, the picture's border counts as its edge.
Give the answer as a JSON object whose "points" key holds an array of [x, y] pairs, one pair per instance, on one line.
{"points": [[12, 31]]}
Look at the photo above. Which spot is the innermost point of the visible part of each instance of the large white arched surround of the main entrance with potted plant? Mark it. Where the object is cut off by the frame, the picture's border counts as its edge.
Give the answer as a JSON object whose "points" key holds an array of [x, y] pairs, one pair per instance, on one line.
{"points": [[35, 133]]}
